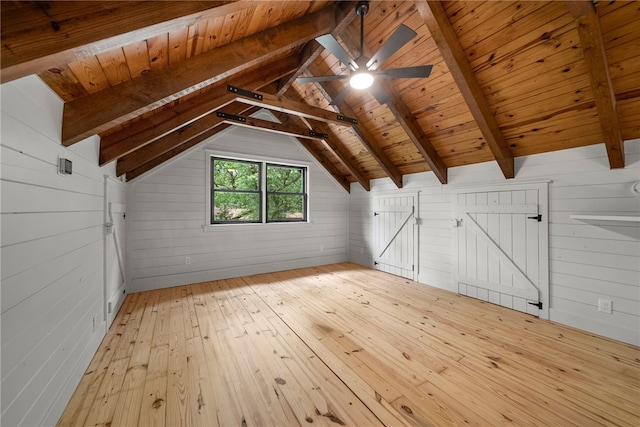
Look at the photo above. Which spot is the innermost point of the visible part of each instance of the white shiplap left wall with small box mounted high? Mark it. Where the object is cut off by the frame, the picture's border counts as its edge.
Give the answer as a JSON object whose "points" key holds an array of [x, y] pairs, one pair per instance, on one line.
{"points": [[52, 256]]}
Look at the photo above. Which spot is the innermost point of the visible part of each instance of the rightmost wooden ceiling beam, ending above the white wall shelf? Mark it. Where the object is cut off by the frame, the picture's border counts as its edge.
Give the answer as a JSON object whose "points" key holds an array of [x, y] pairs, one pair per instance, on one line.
{"points": [[595, 56]]}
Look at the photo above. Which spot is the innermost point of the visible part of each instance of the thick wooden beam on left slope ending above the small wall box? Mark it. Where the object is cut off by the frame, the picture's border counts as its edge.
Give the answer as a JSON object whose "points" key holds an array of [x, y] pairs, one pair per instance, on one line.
{"points": [[102, 110]]}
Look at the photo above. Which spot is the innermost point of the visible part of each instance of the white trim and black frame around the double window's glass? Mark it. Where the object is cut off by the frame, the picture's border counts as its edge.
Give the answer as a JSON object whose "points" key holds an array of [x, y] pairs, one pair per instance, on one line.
{"points": [[263, 160]]}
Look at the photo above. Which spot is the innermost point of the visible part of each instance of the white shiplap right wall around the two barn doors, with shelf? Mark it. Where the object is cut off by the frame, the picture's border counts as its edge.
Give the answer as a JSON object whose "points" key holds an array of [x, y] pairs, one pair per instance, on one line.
{"points": [[588, 260]]}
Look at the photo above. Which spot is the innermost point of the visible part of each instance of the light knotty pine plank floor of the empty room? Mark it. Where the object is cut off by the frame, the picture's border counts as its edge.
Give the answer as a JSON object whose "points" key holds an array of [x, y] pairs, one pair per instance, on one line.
{"points": [[345, 345]]}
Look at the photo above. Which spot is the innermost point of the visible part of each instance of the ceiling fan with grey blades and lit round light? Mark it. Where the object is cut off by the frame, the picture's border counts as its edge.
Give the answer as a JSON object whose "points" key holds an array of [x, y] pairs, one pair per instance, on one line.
{"points": [[364, 71]]}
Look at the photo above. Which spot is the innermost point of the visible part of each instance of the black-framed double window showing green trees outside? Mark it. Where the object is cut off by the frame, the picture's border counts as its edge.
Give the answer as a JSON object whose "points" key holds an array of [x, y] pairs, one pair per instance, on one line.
{"points": [[245, 191]]}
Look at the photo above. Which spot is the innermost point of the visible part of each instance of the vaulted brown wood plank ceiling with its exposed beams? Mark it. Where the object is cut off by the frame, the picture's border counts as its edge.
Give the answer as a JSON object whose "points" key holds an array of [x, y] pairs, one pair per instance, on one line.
{"points": [[509, 78]]}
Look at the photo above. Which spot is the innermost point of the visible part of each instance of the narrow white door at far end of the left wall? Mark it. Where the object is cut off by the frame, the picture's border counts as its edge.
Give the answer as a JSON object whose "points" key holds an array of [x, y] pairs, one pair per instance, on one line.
{"points": [[114, 268]]}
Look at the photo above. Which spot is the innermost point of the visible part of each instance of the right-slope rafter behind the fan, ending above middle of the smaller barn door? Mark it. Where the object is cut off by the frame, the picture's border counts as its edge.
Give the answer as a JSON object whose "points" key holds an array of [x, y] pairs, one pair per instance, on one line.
{"points": [[329, 91]]}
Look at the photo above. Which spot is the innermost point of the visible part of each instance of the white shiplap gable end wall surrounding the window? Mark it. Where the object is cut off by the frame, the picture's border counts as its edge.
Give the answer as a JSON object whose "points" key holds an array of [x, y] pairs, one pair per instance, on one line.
{"points": [[167, 215]]}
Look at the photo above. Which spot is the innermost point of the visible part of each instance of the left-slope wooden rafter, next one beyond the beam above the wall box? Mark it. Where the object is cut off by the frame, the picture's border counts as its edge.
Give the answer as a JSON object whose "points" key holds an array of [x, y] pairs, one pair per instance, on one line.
{"points": [[126, 140]]}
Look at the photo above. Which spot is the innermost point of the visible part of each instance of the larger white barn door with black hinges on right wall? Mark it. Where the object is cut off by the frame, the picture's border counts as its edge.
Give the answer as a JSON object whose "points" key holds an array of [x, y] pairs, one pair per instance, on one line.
{"points": [[502, 246]]}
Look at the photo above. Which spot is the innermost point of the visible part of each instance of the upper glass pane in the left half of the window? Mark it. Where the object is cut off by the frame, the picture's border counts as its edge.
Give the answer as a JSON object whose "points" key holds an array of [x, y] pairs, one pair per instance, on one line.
{"points": [[235, 175]]}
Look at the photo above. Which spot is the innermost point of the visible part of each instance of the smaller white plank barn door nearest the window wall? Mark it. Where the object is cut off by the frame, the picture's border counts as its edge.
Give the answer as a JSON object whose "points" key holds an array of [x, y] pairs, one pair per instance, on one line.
{"points": [[396, 234]]}
